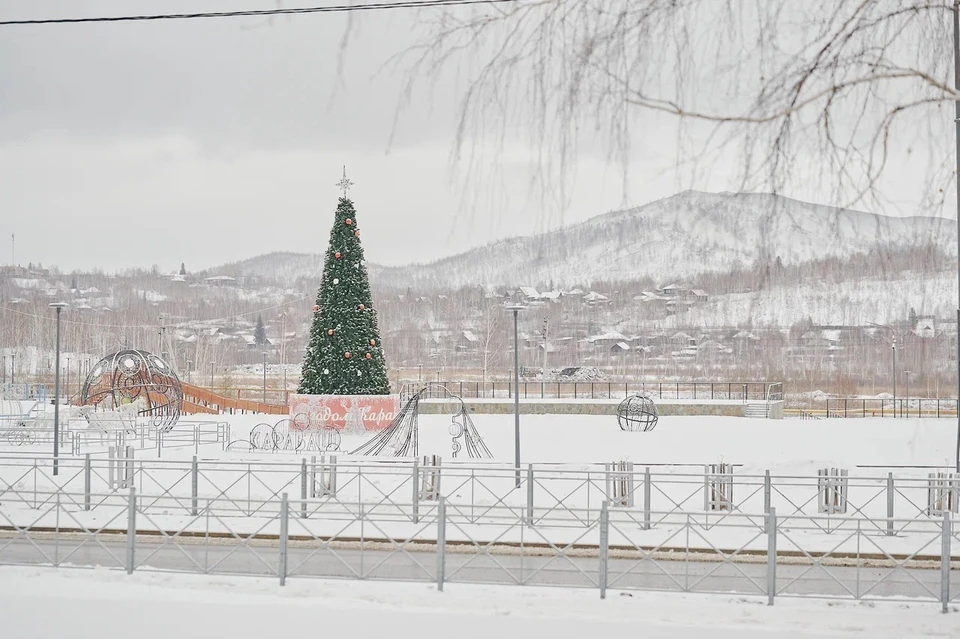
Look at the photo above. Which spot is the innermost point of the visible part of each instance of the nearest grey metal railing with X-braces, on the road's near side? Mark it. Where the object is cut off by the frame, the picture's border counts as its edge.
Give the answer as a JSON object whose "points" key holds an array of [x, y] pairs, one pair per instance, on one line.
{"points": [[765, 555]]}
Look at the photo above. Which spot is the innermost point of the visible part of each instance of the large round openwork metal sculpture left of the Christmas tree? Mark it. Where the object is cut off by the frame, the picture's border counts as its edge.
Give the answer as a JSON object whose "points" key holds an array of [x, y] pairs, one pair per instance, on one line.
{"points": [[131, 376]]}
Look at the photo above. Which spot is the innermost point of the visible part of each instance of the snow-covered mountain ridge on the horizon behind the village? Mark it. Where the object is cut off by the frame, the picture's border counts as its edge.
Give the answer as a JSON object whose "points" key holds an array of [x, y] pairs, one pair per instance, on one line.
{"points": [[674, 238]]}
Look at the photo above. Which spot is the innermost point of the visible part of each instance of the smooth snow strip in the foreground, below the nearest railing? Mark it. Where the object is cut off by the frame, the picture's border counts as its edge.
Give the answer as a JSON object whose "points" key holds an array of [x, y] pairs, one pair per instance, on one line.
{"points": [[97, 604]]}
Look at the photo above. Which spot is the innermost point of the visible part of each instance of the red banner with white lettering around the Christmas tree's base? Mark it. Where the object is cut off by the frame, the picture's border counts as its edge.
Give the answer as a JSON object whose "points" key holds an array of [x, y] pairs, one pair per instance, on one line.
{"points": [[343, 412]]}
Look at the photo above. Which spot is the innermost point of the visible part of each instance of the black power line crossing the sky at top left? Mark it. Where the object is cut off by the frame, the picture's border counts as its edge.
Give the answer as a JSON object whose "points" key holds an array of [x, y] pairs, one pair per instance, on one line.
{"points": [[400, 4]]}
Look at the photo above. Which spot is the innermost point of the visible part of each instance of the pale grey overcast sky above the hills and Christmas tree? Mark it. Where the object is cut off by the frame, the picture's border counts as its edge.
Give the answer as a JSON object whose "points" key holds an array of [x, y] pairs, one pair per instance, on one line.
{"points": [[208, 141]]}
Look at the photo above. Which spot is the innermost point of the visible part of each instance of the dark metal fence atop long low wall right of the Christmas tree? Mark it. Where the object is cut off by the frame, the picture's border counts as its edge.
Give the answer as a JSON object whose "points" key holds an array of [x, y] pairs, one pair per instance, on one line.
{"points": [[741, 391]]}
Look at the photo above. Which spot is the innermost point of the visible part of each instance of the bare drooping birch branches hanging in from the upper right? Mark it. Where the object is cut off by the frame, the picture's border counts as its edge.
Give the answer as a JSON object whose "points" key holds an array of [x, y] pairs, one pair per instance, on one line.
{"points": [[825, 92]]}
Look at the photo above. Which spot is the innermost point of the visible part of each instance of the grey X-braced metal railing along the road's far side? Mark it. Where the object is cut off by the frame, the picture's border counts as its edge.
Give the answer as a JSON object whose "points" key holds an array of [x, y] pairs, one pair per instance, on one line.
{"points": [[546, 492]]}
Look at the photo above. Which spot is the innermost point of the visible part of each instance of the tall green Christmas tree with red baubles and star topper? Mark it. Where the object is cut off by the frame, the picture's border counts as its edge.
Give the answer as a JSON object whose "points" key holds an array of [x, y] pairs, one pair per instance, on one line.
{"points": [[344, 356]]}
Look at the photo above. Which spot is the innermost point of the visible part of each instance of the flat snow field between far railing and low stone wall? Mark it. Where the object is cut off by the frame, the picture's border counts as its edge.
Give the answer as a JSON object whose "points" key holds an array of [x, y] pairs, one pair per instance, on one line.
{"points": [[783, 445]]}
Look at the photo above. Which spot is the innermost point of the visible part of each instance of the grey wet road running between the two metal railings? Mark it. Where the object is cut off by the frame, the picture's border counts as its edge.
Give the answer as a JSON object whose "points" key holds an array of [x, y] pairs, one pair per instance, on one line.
{"points": [[386, 562]]}
